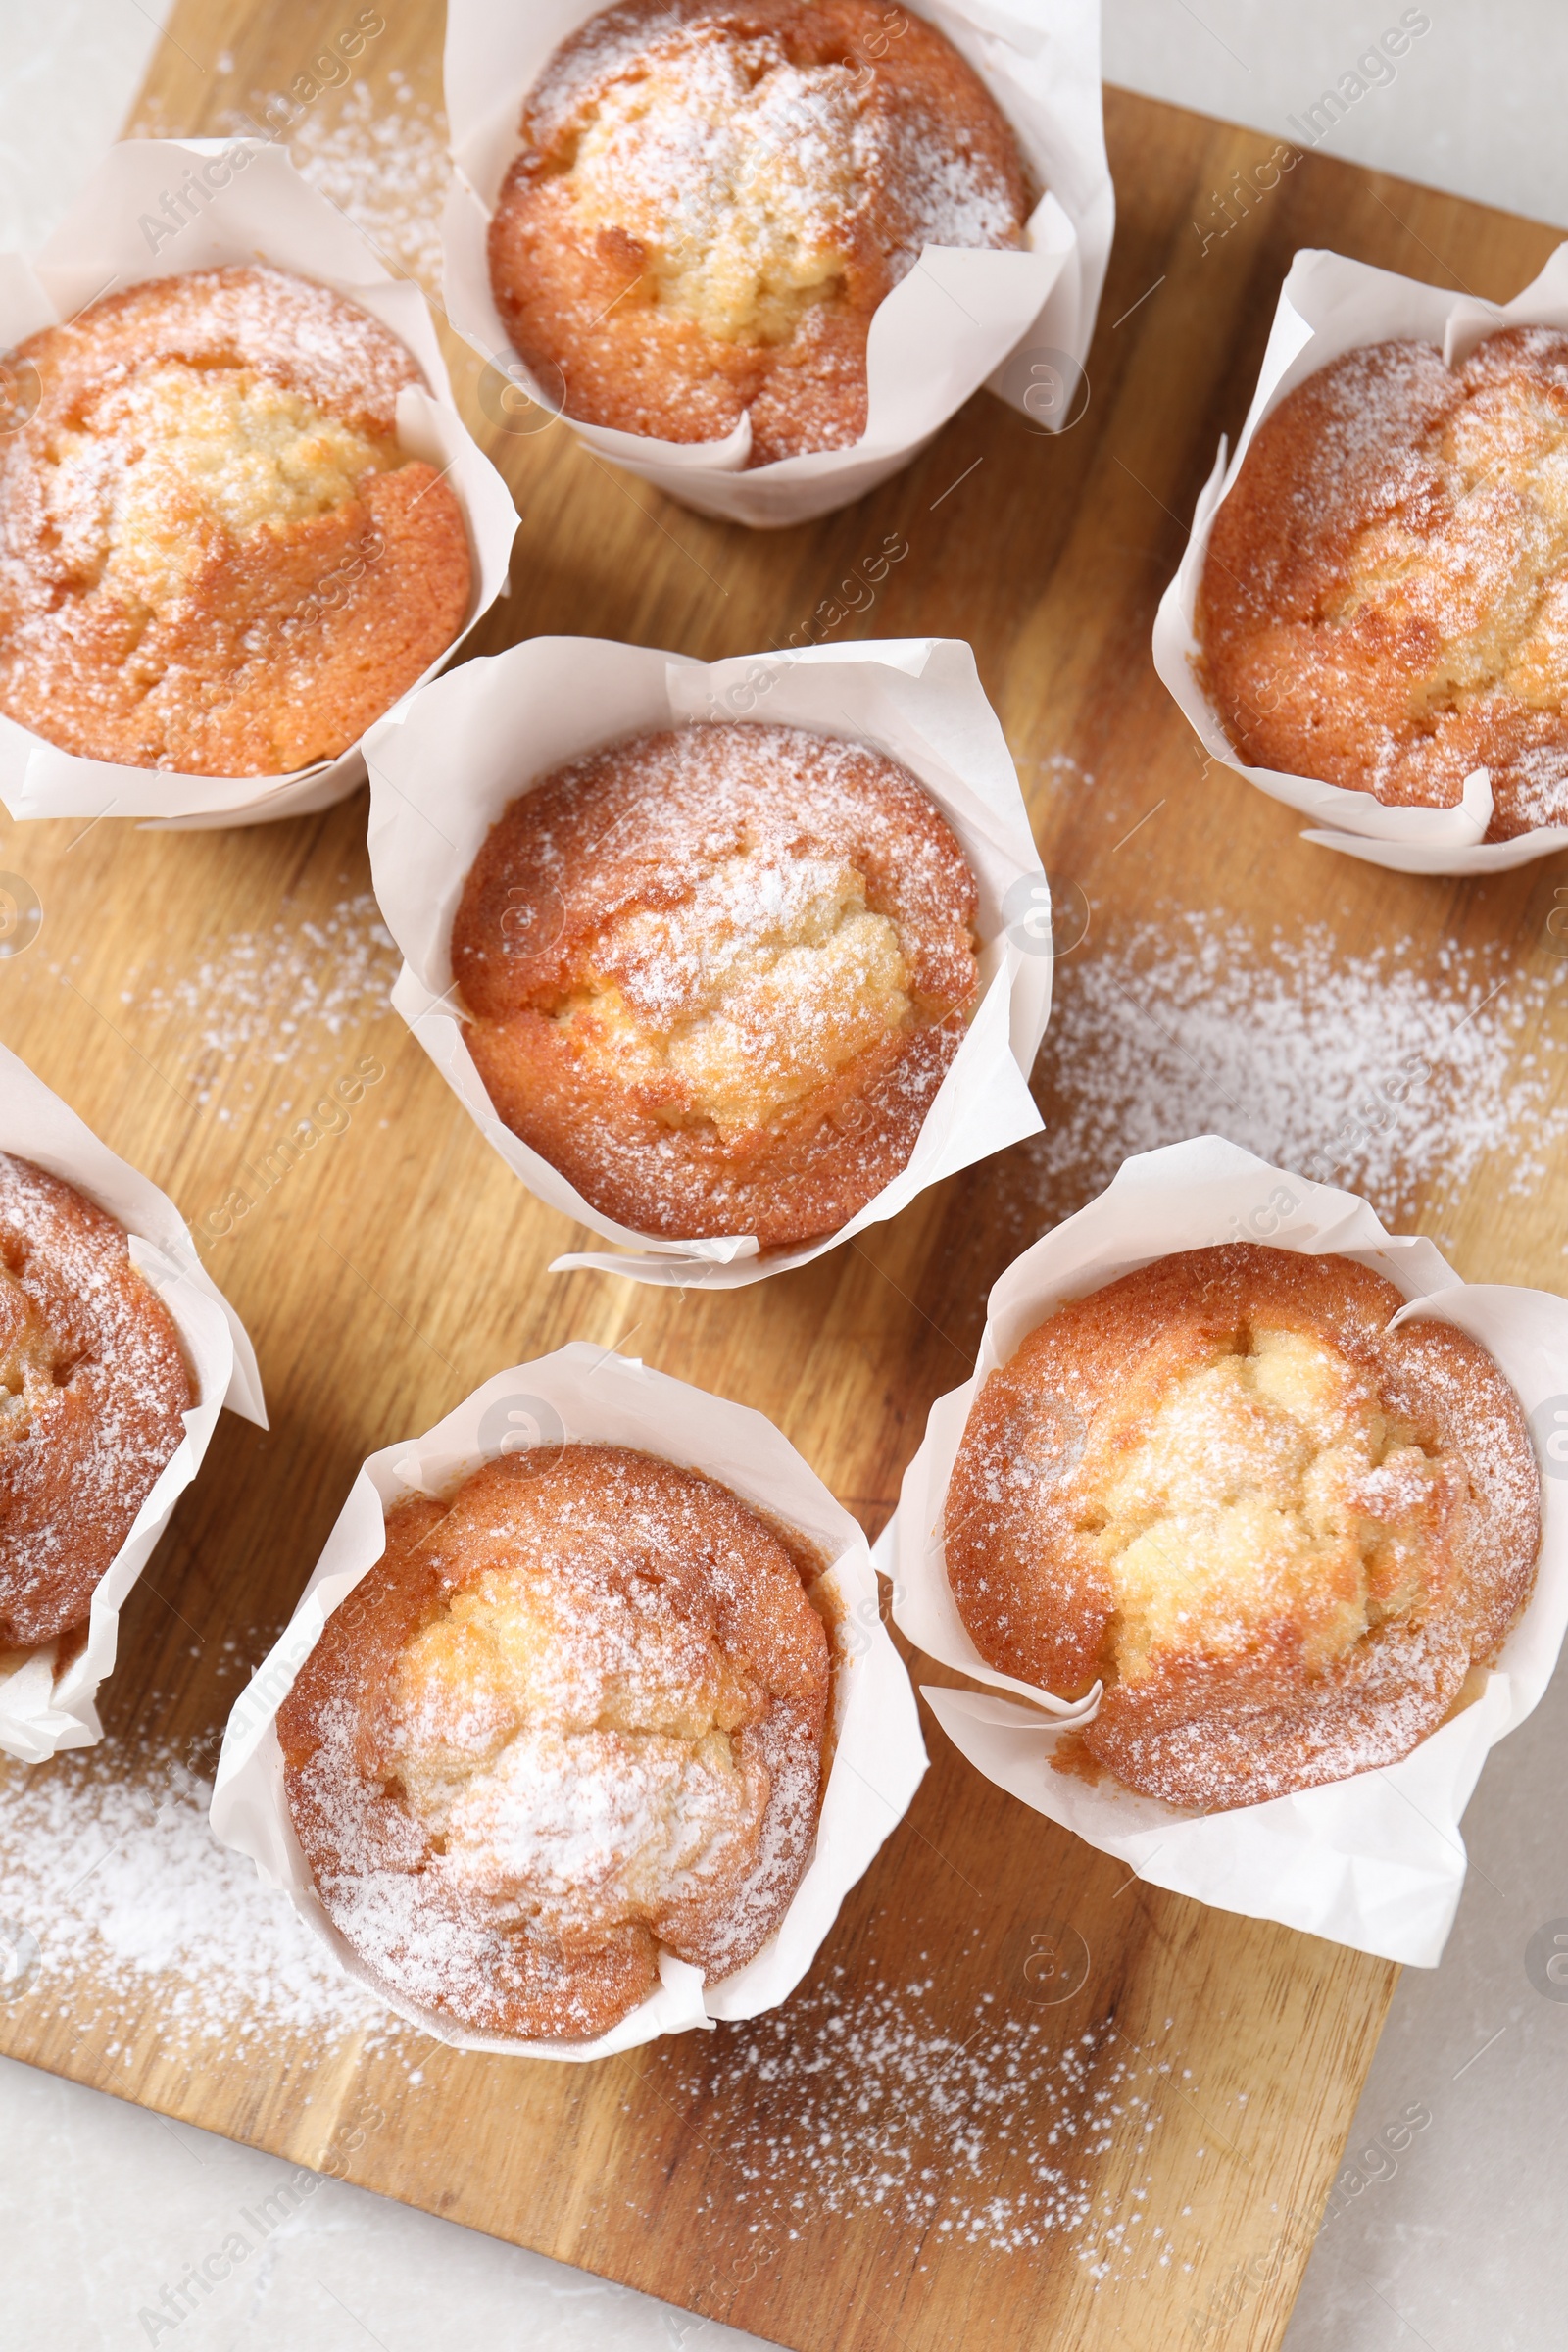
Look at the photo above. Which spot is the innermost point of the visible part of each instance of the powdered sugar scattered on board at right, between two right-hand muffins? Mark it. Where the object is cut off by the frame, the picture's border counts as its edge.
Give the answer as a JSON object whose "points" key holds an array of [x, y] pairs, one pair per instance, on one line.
{"points": [[1367, 1071]]}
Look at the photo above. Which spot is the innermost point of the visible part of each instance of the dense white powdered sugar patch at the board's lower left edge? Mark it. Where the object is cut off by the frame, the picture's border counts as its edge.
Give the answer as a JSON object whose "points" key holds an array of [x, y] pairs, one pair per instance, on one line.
{"points": [[145, 1923]]}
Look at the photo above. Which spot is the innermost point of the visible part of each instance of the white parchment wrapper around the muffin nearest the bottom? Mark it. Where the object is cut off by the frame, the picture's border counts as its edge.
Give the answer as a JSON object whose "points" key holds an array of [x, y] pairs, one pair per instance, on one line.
{"points": [[594, 1396]]}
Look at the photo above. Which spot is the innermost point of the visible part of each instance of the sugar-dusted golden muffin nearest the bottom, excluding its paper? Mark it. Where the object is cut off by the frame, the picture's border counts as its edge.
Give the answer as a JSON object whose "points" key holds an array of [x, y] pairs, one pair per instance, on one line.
{"points": [[572, 1718]]}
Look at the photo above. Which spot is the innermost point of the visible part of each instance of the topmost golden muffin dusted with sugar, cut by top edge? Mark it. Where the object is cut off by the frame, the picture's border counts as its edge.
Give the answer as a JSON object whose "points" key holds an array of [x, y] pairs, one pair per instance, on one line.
{"points": [[713, 196]]}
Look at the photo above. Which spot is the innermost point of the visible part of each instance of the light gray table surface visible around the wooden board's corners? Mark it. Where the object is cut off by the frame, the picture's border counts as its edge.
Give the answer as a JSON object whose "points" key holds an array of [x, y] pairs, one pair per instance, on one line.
{"points": [[1463, 2240]]}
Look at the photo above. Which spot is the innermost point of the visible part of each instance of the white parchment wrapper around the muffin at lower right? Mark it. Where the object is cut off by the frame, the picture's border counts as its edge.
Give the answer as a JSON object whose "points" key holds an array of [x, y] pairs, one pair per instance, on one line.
{"points": [[1374, 1862]]}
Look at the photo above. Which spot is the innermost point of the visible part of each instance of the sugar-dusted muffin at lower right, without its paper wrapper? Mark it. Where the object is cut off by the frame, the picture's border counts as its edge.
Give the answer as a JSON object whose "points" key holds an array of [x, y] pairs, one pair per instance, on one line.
{"points": [[1275, 1530]]}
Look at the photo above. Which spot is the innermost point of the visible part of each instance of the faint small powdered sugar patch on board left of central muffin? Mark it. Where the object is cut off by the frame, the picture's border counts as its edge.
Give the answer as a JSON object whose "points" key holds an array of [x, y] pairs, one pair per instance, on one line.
{"points": [[260, 996]]}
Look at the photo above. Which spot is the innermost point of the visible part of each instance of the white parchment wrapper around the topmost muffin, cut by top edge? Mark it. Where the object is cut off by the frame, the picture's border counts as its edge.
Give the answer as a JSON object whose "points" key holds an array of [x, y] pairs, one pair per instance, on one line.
{"points": [[958, 321]]}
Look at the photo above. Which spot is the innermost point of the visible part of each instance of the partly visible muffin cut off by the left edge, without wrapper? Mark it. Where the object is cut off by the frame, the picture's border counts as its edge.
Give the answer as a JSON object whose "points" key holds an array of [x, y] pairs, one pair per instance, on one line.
{"points": [[93, 1401]]}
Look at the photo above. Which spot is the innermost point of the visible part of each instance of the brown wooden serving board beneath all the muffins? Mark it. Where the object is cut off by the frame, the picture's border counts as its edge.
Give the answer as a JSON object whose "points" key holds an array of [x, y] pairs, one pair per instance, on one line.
{"points": [[401, 1267]]}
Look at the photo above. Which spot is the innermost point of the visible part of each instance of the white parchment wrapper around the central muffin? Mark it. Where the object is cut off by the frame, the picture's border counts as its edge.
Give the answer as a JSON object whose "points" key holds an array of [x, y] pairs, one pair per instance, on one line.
{"points": [[445, 768]]}
